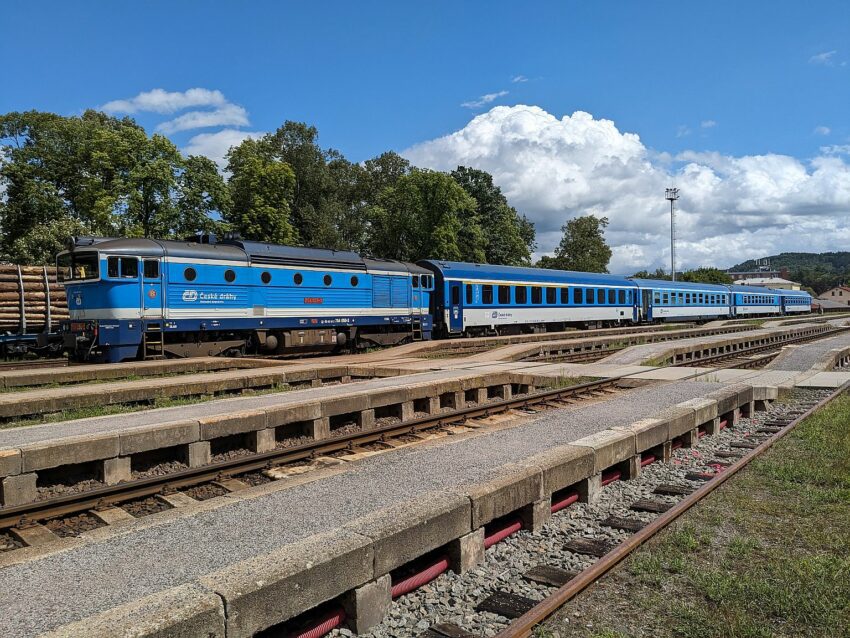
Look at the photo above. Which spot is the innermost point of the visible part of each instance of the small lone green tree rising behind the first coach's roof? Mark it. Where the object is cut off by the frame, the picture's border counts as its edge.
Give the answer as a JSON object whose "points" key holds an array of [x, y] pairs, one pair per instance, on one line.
{"points": [[582, 248]]}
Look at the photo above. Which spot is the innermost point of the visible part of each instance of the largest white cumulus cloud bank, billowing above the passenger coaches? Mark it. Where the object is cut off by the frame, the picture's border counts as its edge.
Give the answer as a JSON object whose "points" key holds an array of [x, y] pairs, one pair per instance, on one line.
{"points": [[730, 208]]}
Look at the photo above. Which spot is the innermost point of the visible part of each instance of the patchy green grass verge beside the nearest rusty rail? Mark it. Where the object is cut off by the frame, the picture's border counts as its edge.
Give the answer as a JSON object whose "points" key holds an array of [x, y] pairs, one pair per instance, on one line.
{"points": [[768, 554]]}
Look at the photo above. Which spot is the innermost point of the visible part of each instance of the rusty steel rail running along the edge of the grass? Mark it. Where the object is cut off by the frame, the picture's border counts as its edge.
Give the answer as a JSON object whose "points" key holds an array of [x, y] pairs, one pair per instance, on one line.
{"points": [[525, 624]]}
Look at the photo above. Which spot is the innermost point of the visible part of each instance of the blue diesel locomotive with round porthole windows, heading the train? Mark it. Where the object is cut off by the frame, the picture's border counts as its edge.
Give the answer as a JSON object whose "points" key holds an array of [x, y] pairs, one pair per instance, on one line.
{"points": [[144, 298]]}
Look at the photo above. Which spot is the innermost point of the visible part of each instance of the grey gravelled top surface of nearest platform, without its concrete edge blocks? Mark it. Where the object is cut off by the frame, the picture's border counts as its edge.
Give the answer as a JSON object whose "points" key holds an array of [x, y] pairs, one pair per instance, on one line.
{"points": [[105, 570]]}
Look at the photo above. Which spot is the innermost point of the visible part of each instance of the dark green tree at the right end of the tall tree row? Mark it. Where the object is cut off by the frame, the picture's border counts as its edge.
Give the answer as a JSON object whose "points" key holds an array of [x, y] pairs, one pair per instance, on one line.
{"points": [[508, 237]]}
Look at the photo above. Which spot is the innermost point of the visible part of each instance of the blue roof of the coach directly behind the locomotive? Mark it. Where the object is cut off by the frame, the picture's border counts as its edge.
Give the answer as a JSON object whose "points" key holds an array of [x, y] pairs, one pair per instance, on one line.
{"points": [[489, 272]]}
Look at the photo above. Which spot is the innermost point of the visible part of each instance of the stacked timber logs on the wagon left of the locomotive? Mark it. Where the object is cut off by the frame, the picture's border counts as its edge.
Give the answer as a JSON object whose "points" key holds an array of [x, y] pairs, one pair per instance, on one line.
{"points": [[30, 296]]}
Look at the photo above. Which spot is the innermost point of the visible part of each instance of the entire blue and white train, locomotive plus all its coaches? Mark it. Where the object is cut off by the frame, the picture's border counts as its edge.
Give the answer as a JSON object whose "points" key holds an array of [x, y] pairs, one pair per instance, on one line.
{"points": [[145, 298]]}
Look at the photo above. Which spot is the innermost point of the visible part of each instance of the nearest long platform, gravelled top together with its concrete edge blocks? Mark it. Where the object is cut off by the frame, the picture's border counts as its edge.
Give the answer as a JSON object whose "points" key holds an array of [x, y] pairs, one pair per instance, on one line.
{"points": [[266, 554]]}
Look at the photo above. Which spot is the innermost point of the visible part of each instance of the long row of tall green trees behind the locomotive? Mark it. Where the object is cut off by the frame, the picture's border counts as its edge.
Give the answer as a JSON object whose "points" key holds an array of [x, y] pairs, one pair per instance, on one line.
{"points": [[100, 175]]}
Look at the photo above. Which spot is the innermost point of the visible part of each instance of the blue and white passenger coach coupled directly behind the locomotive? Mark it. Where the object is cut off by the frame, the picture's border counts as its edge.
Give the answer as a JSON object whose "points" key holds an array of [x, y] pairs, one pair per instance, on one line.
{"points": [[480, 299]]}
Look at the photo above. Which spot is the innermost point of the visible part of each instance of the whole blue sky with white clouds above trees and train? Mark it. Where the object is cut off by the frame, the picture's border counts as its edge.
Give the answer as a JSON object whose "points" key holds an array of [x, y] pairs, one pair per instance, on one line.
{"points": [[575, 107]]}
